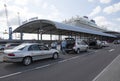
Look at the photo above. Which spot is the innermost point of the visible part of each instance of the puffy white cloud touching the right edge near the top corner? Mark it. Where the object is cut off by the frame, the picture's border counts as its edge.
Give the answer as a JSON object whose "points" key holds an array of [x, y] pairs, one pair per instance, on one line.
{"points": [[112, 9]]}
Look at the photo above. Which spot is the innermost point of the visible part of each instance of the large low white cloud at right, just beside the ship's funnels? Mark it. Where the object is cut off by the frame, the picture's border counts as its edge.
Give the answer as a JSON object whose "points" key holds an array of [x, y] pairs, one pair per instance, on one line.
{"points": [[105, 24]]}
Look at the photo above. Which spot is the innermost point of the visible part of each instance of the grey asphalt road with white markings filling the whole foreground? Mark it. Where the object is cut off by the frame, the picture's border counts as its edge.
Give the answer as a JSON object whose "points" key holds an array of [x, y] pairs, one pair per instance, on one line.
{"points": [[94, 65]]}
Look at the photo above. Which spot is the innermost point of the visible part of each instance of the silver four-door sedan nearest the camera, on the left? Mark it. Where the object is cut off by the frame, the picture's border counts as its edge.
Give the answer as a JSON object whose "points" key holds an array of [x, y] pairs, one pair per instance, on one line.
{"points": [[29, 52]]}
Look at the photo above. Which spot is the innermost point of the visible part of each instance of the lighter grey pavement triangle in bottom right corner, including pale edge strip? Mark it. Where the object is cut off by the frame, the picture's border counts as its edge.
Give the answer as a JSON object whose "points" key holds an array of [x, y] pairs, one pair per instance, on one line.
{"points": [[111, 72]]}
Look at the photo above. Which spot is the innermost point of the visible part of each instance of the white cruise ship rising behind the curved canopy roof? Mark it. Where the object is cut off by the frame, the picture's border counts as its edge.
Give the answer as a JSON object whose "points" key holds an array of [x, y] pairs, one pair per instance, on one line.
{"points": [[84, 22]]}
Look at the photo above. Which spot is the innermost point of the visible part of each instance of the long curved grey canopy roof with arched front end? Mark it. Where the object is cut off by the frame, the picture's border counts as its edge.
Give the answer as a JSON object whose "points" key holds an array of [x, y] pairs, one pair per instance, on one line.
{"points": [[52, 27]]}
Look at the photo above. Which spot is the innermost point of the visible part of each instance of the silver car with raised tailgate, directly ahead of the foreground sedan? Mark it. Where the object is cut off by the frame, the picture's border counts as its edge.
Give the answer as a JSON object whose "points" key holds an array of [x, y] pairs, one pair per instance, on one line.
{"points": [[75, 45]]}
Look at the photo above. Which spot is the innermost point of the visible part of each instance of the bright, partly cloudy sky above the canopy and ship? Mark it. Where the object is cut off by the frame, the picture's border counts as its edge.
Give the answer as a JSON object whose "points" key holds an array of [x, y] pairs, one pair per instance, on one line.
{"points": [[106, 13]]}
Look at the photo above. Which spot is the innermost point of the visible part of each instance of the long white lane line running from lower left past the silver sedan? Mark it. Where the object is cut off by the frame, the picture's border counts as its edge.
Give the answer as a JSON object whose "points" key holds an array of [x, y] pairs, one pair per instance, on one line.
{"points": [[36, 68]]}
